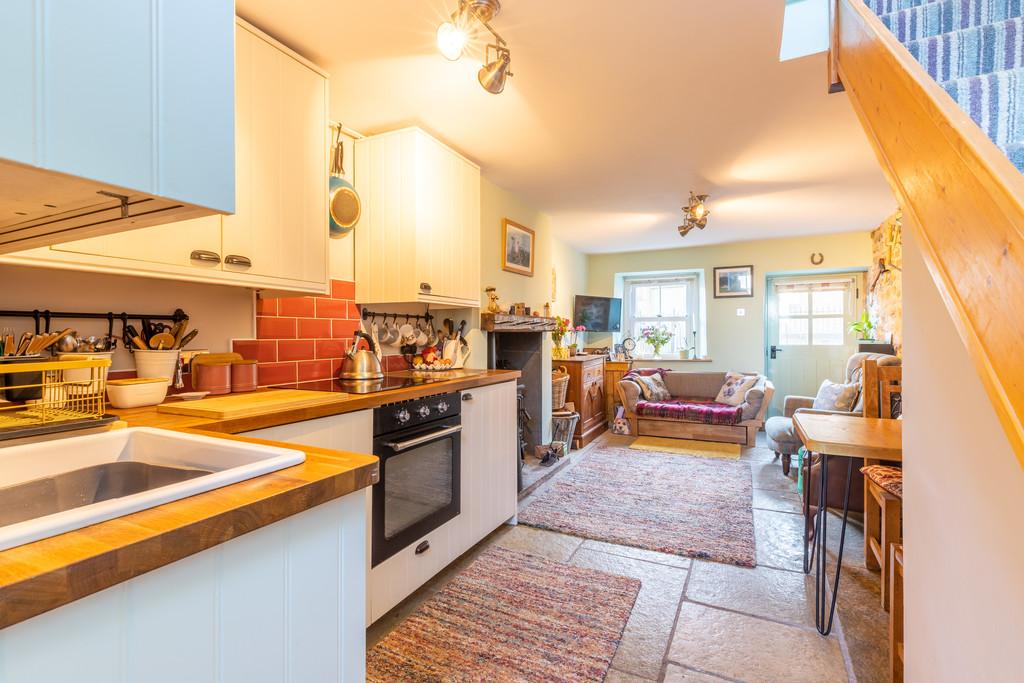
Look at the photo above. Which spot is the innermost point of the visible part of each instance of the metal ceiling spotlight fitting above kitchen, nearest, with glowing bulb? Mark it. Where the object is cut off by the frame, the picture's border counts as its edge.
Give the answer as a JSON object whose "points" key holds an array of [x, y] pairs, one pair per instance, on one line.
{"points": [[456, 35]]}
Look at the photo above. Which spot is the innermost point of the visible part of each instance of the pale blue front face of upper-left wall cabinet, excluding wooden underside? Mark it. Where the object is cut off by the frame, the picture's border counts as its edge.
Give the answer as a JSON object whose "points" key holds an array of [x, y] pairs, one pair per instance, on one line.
{"points": [[138, 95]]}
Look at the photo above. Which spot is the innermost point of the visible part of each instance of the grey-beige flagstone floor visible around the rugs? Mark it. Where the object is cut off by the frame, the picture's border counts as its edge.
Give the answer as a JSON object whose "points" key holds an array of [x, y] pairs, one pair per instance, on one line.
{"points": [[703, 622]]}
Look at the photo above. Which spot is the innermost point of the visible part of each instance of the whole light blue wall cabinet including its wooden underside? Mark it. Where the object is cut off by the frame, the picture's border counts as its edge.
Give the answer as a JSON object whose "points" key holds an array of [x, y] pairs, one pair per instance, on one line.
{"points": [[133, 98]]}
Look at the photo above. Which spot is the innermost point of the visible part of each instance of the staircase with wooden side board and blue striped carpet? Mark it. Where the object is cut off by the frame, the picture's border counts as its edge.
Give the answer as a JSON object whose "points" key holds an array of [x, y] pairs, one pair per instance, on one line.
{"points": [[938, 87]]}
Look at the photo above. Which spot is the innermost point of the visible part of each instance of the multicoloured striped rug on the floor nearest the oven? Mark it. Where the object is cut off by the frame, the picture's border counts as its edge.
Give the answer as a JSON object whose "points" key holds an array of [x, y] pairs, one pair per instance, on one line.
{"points": [[510, 617]]}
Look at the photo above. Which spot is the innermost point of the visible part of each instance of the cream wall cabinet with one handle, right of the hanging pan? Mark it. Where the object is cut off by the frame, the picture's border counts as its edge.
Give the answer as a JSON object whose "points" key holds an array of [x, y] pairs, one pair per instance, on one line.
{"points": [[419, 238]]}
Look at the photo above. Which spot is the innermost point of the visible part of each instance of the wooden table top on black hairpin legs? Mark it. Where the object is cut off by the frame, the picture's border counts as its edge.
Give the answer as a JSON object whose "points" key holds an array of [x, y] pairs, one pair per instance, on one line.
{"points": [[850, 436]]}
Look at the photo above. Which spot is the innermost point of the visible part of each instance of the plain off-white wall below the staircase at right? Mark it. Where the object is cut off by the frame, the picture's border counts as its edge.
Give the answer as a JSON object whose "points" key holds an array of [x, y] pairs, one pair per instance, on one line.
{"points": [[964, 501]]}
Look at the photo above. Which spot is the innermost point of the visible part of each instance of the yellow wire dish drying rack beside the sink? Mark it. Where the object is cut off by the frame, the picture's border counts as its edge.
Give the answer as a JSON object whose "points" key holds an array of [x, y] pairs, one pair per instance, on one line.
{"points": [[48, 397]]}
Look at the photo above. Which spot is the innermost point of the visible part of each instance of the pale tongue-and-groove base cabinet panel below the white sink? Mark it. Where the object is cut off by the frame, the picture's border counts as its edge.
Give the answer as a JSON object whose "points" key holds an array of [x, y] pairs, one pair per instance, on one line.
{"points": [[281, 604]]}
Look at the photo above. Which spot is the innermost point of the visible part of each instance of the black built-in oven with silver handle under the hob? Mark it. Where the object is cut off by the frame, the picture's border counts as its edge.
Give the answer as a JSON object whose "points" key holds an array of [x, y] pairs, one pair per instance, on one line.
{"points": [[419, 446]]}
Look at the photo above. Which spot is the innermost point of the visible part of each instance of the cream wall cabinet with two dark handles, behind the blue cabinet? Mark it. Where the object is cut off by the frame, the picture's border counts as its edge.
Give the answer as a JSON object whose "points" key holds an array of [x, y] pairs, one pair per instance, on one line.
{"points": [[278, 238]]}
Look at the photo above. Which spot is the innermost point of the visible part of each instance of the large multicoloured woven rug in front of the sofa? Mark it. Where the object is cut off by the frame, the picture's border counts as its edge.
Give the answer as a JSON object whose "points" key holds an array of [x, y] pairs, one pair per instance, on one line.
{"points": [[672, 504]]}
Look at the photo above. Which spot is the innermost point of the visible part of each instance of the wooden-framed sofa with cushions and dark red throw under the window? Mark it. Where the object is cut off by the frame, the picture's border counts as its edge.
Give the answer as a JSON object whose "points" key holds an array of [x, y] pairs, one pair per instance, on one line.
{"points": [[709, 407]]}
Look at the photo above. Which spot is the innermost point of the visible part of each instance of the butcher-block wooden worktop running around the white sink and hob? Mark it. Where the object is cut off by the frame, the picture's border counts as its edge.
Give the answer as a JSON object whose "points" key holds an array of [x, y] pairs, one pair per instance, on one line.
{"points": [[42, 576]]}
